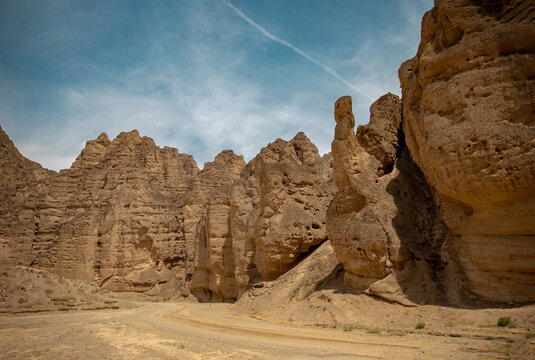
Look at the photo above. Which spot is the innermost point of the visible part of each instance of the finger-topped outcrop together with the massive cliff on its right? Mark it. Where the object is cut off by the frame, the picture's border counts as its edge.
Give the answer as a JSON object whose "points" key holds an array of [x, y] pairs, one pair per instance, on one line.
{"points": [[455, 206]]}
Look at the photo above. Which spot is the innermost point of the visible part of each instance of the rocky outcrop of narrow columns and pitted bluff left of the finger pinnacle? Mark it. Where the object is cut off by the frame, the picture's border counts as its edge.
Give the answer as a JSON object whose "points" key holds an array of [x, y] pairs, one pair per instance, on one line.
{"points": [[260, 227]]}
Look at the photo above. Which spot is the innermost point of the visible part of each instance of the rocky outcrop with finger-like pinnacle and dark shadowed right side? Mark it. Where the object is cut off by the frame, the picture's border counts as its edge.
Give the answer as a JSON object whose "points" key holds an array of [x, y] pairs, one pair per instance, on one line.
{"points": [[383, 222]]}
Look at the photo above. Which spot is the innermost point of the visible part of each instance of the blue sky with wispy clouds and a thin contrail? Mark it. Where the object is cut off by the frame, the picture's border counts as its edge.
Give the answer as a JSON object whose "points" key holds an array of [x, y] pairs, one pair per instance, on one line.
{"points": [[198, 75]]}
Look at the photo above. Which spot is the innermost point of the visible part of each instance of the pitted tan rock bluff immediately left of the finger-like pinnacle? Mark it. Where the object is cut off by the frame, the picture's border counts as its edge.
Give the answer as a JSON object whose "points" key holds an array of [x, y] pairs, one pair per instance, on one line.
{"points": [[295, 190]]}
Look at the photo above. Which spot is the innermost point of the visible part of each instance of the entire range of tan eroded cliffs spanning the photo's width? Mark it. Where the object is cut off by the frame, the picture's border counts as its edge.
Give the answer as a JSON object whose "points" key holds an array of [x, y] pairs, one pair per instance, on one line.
{"points": [[436, 195]]}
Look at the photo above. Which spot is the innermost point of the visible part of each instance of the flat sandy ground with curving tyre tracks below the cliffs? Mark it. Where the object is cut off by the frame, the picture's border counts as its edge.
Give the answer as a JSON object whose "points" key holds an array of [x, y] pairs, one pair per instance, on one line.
{"points": [[165, 330]]}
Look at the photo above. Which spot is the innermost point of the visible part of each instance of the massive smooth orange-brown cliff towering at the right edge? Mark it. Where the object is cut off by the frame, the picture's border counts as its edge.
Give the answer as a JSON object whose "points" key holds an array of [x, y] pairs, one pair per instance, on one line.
{"points": [[468, 108]]}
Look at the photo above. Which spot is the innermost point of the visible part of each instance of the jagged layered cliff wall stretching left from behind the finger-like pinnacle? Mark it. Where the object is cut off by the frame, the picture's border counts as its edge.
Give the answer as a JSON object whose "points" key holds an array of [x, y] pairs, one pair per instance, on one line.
{"points": [[135, 217]]}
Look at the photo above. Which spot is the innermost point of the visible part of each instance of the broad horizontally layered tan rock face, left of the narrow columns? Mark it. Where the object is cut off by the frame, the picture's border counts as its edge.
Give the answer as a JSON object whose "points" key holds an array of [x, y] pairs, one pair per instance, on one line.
{"points": [[113, 217]]}
